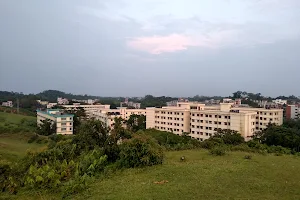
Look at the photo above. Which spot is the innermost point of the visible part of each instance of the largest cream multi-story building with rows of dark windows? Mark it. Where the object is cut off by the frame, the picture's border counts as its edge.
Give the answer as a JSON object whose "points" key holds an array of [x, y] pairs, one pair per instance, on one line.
{"points": [[202, 121]]}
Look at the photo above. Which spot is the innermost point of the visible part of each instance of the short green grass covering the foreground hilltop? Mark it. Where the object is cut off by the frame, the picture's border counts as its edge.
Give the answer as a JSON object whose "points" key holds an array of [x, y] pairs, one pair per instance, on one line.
{"points": [[201, 176]]}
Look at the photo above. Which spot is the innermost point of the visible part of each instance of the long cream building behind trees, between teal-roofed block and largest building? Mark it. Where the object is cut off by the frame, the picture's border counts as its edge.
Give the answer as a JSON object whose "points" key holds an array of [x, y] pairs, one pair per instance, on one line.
{"points": [[107, 116]]}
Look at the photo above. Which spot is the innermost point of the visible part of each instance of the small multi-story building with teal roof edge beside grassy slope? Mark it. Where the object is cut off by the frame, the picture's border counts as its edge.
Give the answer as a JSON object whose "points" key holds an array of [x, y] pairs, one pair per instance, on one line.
{"points": [[64, 122]]}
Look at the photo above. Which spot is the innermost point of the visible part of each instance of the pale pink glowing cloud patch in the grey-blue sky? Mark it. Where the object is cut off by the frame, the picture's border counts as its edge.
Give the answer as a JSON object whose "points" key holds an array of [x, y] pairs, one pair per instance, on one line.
{"points": [[161, 44]]}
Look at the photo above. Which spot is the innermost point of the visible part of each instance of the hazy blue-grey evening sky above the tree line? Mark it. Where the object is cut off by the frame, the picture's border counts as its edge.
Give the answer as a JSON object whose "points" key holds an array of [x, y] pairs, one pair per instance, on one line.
{"points": [[157, 47]]}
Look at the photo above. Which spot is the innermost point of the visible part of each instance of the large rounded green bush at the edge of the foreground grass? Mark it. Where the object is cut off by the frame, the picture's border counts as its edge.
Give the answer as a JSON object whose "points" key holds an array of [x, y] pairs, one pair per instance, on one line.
{"points": [[140, 150]]}
